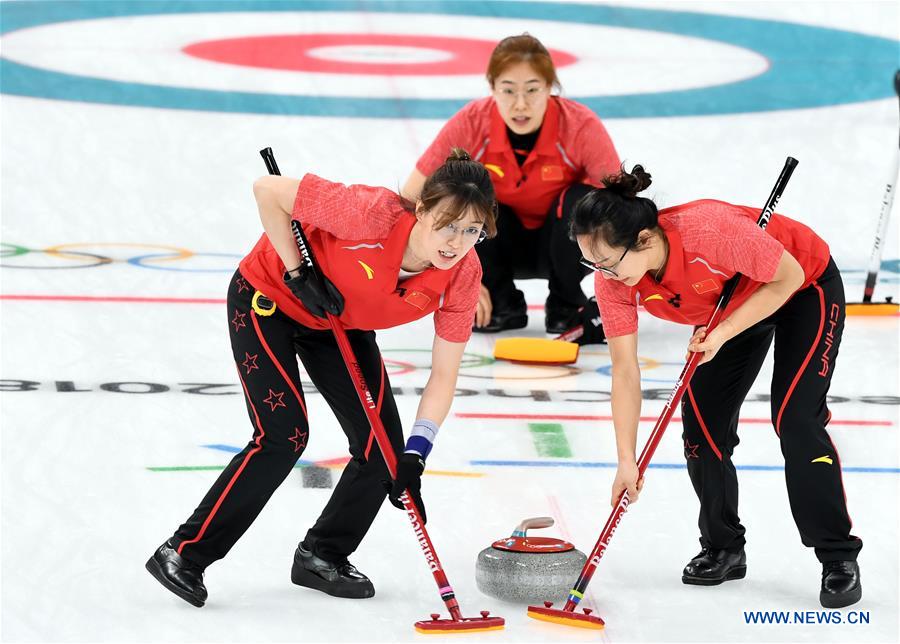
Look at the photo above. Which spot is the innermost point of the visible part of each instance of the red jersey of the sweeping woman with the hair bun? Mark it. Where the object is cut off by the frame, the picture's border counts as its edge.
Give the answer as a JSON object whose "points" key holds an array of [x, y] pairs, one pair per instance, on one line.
{"points": [[709, 241]]}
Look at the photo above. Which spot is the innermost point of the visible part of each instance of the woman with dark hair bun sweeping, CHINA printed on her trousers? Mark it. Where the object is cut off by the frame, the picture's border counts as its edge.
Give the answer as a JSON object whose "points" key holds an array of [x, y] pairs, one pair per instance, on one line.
{"points": [[676, 262]]}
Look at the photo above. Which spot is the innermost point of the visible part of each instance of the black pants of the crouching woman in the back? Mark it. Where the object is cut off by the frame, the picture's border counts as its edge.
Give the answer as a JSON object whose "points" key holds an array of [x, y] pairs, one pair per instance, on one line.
{"points": [[545, 252]]}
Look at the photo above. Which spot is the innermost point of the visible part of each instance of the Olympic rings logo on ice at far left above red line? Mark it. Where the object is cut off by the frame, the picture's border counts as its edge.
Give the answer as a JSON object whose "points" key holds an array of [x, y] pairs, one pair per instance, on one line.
{"points": [[93, 254]]}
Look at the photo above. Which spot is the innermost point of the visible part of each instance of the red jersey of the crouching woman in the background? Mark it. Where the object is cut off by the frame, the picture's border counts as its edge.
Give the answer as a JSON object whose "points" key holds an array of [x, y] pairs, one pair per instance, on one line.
{"points": [[572, 147]]}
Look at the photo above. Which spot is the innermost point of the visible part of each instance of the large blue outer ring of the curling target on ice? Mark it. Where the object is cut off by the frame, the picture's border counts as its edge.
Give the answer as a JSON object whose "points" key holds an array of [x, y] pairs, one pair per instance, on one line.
{"points": [[809, 66]]}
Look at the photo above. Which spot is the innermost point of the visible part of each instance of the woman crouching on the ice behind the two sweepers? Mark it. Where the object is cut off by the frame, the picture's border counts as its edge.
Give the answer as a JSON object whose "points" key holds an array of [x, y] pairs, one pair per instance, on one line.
{"points": [[541, 150]]}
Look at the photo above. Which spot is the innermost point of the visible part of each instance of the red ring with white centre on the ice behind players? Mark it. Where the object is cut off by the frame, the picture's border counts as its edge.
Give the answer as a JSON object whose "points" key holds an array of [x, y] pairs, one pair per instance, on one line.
{"points": [[377, 54]]}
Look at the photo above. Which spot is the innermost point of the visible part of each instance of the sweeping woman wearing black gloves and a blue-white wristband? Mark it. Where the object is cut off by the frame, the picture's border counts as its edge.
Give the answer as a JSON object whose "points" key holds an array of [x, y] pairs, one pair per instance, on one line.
{"points": [[385, 264]]}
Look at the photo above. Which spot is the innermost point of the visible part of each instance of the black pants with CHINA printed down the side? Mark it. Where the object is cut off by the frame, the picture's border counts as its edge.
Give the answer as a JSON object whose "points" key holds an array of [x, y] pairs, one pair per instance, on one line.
{"points": [[807, 331]]}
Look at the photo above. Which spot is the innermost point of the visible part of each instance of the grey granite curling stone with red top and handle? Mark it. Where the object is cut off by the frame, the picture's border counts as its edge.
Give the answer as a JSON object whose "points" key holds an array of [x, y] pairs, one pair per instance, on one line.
{"points": [[521, 568]]}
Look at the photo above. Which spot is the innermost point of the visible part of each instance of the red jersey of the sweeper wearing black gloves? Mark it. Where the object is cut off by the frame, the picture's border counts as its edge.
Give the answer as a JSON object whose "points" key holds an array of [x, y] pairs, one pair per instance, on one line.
{"points": [[358, 235]]}
